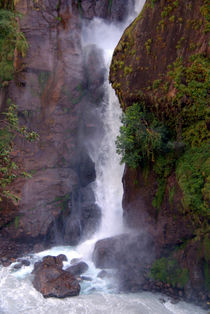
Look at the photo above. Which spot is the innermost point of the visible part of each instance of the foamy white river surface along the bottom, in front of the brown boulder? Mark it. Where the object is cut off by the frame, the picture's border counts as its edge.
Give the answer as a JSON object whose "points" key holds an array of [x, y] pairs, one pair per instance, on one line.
{"points": [[18, 296]]}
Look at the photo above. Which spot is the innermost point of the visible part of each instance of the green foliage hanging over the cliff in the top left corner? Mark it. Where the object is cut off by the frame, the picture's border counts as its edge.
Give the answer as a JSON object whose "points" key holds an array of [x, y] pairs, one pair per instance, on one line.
{"points": [[11, 39]]}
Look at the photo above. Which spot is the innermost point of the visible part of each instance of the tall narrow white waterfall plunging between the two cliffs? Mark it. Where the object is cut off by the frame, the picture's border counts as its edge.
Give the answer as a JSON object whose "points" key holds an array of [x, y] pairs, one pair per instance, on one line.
{"points": [[108, 186]]}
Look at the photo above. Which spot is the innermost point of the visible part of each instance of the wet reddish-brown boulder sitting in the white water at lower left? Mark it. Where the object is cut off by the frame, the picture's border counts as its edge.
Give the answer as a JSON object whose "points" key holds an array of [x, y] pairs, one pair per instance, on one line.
{"points": [[52, 281]]}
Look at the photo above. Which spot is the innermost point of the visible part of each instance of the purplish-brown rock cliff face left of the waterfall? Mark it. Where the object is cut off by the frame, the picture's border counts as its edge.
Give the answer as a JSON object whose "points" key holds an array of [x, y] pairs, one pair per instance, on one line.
{"points": [[54, 89]]}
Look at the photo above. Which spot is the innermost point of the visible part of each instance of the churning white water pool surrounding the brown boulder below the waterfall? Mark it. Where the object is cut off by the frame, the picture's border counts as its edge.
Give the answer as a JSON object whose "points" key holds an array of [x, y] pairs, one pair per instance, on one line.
{"points": [[17, 294]]}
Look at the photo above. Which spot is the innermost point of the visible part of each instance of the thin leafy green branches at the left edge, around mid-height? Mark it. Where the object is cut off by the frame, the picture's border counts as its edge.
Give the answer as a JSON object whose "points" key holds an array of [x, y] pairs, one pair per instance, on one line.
{"points": [[9, 170]]}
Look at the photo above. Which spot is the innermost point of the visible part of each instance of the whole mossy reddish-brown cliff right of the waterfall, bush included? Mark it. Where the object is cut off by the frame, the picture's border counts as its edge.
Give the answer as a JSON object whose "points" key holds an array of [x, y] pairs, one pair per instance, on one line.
{"points": [[160, 72]]}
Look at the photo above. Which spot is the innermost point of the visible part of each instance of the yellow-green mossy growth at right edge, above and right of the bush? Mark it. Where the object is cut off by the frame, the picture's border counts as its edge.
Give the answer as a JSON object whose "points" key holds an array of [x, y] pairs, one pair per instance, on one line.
{"points": [[191, 83]]}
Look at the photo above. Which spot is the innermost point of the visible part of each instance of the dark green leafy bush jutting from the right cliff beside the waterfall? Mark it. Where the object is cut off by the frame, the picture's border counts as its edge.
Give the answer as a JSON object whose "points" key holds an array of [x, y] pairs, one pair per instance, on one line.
{"points": [[141, 137]]}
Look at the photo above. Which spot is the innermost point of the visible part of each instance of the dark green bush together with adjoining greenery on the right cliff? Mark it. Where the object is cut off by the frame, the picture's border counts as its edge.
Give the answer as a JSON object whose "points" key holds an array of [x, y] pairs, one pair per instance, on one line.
{"points": [[145, 138]]}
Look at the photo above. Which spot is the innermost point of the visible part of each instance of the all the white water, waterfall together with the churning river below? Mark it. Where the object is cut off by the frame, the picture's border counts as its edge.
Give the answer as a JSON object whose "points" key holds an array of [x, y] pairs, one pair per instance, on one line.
{"points": [[17, 294]]}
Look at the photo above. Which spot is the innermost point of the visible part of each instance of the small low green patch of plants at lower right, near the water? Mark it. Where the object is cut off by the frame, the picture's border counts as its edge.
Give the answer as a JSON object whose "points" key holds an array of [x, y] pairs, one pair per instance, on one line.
{"points": [[168, 270]]}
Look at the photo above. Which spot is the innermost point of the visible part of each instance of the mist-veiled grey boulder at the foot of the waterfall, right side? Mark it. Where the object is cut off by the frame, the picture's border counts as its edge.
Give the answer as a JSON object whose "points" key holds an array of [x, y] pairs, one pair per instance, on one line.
{"points": [[128, 254]]}
